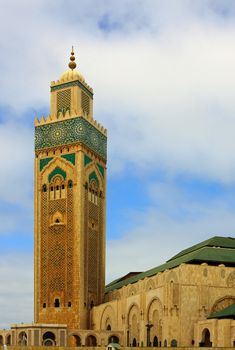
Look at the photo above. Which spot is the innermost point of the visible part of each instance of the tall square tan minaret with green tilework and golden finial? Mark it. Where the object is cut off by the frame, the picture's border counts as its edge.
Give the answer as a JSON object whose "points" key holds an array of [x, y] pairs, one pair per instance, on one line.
{"points": [[70, 187]]}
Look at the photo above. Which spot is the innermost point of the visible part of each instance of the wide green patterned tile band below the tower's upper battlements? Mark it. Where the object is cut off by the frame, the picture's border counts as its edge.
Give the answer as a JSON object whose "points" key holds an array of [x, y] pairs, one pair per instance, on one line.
{"points": [[70, 131]]}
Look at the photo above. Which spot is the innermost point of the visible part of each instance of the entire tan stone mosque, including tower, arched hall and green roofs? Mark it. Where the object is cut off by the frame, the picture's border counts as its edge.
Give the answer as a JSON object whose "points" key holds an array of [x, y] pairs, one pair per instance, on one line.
{"points": [[188, 301]]}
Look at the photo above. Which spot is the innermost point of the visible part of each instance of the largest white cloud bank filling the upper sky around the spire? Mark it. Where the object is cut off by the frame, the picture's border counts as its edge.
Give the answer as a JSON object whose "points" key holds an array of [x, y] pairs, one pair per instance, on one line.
{"points": [[165, 89]]}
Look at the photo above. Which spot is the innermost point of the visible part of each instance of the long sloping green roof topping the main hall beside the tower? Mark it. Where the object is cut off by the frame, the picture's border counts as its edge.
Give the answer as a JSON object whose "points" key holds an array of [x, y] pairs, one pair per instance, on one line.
{"points": [[220, 253]]}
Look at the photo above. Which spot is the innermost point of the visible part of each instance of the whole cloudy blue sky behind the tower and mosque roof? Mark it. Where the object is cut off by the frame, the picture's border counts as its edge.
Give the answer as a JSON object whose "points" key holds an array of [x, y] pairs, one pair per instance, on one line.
{"points": [[163, 74]]}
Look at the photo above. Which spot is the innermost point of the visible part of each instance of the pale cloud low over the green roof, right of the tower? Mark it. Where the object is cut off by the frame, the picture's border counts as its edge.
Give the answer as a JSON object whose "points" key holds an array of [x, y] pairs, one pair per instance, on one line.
{"points": [[173, 222]]}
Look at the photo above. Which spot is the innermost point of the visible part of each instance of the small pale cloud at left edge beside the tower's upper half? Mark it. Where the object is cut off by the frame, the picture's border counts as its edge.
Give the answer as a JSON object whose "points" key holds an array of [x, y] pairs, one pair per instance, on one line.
{"points": [[16, 174]]}
